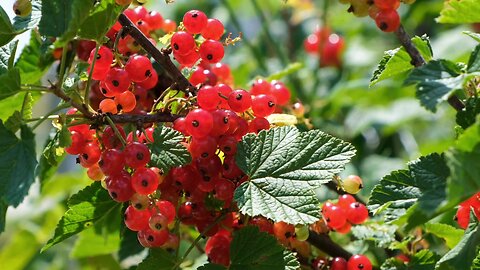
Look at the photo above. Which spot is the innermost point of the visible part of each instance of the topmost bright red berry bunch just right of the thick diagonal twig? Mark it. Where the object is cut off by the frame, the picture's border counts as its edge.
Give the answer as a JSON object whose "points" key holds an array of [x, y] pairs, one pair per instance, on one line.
{"points": [[184, 43]]}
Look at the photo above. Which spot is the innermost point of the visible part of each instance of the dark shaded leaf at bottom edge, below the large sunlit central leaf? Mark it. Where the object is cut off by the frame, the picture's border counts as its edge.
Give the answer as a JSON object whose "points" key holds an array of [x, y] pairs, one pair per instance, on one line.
{"points": [[252, 249]]}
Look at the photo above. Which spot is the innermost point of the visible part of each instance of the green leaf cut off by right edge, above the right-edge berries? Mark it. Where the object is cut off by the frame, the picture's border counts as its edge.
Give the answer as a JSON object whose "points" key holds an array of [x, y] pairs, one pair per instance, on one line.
{"points": [[463, 159]]}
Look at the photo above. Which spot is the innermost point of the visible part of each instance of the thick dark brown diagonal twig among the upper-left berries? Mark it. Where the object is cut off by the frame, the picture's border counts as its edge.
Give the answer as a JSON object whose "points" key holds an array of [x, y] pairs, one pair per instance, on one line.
{"points": [[162, 57]]}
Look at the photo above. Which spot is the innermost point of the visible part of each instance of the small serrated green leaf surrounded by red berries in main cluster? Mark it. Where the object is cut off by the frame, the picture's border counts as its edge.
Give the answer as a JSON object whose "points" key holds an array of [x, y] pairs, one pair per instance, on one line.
{"points": [[167, 150]]}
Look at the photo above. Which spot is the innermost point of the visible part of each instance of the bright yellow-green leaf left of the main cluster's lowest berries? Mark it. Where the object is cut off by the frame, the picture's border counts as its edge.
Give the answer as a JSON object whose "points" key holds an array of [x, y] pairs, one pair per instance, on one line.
{"points": [[101, 239]]}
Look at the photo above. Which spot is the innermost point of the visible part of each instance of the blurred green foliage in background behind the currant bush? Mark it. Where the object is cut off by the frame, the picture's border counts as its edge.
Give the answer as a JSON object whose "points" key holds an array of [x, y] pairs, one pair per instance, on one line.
{"points": [[386, 123]]}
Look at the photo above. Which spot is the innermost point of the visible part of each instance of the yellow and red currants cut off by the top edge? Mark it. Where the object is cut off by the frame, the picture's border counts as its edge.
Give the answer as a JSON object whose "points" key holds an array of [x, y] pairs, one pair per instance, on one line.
{"points": [[384, 12]]}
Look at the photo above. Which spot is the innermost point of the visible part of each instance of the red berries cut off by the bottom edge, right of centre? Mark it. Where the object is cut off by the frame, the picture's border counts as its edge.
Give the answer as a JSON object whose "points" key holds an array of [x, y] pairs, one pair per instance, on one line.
{"points": [[356, 262]]}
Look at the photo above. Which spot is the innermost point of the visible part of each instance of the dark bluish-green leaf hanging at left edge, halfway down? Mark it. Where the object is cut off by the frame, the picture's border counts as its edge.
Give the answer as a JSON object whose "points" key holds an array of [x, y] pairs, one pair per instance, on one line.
{"points": [[17, 166]]}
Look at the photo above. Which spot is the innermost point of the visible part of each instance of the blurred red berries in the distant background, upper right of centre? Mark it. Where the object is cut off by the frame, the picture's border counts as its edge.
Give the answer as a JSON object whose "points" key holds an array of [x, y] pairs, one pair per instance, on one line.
{"points": [[326, 45]]}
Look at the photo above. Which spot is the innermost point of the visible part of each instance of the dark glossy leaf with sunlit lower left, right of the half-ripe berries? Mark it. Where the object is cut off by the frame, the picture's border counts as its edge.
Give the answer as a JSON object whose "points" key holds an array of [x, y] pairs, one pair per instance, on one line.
{"points": [[412, 195]]}
